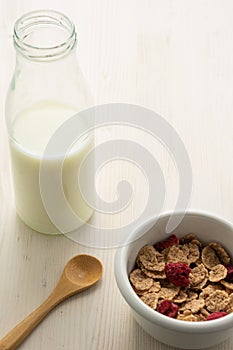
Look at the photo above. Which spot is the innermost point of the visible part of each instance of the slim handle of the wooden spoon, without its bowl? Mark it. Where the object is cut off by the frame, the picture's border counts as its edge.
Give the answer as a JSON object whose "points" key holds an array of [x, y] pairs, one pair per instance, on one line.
{"points": [[15, 337]]}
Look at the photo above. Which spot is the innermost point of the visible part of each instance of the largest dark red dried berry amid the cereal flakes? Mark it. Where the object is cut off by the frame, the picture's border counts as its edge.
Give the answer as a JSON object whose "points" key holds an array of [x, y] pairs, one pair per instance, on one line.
{"points": [[178, 273]]}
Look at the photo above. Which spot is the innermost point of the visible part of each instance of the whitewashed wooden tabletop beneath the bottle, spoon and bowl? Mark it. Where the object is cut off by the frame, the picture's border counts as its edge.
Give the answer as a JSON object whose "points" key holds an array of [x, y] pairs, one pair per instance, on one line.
{"points": [[174, 57]]}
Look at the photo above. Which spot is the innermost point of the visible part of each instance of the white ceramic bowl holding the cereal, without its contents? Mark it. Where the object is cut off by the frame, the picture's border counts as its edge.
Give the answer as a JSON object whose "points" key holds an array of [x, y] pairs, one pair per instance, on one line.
{"points": [[177, 333]]}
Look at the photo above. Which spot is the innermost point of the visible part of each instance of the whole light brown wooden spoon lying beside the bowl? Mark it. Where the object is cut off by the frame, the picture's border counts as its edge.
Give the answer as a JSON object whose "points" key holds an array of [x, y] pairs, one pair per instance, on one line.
{"points": [[80, 273]]}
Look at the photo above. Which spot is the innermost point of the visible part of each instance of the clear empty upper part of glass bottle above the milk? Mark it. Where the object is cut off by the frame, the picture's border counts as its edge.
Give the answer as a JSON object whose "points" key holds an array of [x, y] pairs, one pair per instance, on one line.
{"points": [[46, 65]]}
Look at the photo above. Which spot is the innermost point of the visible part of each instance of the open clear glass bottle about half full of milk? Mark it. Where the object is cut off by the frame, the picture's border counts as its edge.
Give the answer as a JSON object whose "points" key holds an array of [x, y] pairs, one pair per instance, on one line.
{"points": [[47, 89]]}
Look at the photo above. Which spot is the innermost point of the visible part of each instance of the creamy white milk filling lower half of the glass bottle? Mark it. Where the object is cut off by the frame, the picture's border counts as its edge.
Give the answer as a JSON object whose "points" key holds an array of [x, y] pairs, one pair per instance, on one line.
{"points": [[32, 130]]}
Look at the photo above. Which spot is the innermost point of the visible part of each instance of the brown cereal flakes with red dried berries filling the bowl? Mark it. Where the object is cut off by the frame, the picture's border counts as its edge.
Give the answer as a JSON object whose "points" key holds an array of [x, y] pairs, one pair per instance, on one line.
{"points": [[185, 279]]}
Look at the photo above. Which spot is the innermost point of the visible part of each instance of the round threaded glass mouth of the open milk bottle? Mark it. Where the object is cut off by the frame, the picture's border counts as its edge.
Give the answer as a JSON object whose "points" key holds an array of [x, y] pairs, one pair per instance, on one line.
{"points": [[44, 35]]}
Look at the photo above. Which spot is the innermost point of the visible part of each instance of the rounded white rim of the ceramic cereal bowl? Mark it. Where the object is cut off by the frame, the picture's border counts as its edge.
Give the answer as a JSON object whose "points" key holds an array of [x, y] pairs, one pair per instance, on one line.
{"points": [[123, 283]]}
